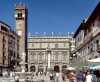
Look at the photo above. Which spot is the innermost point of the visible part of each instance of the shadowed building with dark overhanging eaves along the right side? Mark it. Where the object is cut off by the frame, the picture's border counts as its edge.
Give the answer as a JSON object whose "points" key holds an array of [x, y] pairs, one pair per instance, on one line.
{"points": [[87, 39]]}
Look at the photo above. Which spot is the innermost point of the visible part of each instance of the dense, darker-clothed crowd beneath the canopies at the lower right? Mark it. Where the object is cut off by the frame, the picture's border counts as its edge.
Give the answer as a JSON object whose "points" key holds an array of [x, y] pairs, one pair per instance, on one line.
{"points": [[83, 76]]}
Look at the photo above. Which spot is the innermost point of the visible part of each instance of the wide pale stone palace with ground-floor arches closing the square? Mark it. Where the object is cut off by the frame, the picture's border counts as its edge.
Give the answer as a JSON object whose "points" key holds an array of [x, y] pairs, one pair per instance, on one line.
{"points": [[48, 52]]}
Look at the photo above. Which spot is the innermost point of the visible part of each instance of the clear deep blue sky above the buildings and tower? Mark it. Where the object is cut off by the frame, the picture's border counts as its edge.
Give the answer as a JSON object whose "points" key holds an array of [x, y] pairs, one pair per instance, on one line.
{"points": [[49, 15]]}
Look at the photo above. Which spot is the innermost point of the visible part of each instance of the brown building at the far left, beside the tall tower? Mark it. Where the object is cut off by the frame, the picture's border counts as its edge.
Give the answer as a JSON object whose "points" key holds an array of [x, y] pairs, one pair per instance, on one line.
{"points": [[8, 48]]}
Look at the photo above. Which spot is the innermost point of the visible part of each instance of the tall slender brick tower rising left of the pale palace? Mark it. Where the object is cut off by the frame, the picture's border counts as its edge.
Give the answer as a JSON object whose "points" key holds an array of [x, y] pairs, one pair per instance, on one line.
{"points": [[21, 14]]}
